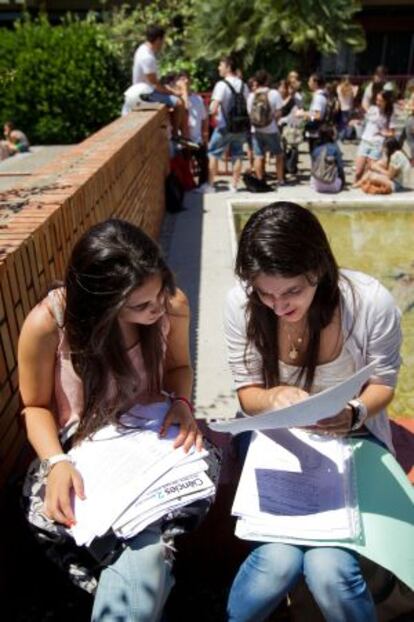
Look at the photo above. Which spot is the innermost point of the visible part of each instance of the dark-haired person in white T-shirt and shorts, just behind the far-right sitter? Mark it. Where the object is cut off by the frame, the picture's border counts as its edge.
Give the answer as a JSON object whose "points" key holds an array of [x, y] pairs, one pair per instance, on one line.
{"points": [[379, 124]]}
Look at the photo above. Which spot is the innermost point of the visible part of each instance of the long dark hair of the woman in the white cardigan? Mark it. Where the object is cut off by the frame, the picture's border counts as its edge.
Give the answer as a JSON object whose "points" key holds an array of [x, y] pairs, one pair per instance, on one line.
{"points": [[284, 239]]}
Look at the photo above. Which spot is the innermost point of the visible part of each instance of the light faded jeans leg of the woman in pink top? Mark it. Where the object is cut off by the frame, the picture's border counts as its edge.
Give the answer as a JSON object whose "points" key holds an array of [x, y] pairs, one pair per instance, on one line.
{"points": [[136, 586]]}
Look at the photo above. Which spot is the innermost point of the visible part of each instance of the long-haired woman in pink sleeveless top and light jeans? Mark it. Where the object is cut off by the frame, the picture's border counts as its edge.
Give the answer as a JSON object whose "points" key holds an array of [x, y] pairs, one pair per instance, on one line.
{"points": [[114, 335]]}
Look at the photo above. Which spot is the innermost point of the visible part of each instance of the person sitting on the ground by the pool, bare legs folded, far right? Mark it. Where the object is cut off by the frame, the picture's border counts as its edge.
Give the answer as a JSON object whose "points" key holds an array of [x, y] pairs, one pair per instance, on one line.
{"points": [[390, 174]]}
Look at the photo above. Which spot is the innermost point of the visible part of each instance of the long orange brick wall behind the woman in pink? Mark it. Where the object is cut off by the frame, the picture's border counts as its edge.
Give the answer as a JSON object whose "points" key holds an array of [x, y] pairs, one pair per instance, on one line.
{"points": [[119, 171]]}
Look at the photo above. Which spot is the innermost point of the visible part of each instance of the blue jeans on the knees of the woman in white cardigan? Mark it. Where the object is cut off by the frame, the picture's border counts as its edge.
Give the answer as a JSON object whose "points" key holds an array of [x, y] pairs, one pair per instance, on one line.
{"points": [[271, 570]]}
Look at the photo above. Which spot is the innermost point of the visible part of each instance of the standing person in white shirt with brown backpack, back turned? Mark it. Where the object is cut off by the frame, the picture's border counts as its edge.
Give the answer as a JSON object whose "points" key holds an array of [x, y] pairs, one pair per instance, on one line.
{"points": [[265, 106]]}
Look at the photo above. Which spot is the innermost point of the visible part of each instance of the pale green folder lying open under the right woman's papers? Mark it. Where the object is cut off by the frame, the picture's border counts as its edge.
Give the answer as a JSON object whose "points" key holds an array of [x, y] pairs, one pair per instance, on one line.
{"points": [[386, 503]]}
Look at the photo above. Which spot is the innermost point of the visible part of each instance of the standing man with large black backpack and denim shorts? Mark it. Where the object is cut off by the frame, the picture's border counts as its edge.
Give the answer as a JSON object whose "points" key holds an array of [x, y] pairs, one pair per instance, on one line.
{"points": [[229, 104]]}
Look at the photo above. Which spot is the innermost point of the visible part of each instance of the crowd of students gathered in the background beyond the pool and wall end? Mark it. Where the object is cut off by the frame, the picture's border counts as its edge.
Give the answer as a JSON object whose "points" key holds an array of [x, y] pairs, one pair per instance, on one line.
{"points": [[263, 121]]}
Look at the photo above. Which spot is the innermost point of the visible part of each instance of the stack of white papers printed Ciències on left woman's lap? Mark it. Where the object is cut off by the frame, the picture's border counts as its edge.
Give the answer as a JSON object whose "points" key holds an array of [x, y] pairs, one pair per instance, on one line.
{"points": [[132, 477]]}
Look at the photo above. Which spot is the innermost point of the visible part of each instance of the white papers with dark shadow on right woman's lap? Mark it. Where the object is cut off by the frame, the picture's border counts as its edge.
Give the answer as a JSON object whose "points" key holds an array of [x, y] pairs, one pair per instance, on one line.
{"points": [[297, 485]]}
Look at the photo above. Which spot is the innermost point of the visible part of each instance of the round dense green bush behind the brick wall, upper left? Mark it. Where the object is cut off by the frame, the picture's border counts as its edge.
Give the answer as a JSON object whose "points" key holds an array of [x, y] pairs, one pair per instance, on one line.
{"points": [[59, 83]]}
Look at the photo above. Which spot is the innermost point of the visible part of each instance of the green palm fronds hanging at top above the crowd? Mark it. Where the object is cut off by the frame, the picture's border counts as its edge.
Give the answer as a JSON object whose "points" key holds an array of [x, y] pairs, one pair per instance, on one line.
{"points": [[252, 28]]}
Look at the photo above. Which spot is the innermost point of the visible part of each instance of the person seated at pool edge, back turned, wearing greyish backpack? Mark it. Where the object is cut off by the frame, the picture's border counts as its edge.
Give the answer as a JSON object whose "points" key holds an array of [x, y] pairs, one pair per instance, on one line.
{"points": [[327, 169]]}
